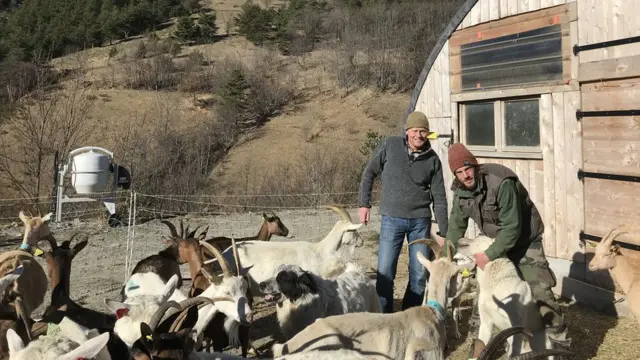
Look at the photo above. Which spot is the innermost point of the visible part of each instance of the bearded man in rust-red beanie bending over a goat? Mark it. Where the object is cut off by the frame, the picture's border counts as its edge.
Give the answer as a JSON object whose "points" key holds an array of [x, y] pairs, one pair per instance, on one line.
{"points": [[493, 196]]}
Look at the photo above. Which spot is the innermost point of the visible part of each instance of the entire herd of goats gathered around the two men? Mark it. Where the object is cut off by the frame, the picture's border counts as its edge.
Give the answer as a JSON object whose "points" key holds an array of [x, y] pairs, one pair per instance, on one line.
{"points": [[326, 305]]}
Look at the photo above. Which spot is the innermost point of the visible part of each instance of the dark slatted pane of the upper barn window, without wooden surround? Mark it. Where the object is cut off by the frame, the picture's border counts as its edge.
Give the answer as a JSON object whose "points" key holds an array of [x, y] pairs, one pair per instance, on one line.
{"points": [[533, 56]]}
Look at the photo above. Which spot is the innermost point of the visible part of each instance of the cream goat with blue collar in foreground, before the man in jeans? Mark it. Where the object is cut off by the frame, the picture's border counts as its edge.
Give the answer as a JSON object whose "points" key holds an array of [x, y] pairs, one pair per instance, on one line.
{"points": [[386, 336]]}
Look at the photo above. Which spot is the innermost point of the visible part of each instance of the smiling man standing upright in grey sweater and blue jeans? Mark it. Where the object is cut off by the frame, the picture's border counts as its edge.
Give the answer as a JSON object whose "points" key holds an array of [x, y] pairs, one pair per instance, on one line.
{"points": [[411, 181]]}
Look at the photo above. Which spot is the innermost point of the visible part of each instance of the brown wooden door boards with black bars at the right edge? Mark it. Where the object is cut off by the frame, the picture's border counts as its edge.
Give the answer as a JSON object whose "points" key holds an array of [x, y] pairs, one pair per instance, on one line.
{"points": [[612, 145]]}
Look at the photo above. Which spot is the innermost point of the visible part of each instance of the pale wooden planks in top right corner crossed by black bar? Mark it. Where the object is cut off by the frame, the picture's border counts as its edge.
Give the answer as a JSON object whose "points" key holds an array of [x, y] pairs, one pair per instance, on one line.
{"points": [[604, 21]]}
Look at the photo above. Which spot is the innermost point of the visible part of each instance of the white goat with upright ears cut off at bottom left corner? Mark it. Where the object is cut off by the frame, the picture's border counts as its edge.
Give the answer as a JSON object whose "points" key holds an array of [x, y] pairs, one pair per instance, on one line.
{"points": [[66, 341]]}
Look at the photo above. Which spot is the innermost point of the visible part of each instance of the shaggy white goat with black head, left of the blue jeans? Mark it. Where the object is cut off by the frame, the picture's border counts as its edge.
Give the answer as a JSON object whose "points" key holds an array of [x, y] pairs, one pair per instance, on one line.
{"points": [[301, 296]]}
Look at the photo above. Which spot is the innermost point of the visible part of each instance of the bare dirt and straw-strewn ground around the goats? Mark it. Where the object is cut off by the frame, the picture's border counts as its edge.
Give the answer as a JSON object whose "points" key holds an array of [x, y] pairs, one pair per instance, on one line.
{"points": [[98, 272]]}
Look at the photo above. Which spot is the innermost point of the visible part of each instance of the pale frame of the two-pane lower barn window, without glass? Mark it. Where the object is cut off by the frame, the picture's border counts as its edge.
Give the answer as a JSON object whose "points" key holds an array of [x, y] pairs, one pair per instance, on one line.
{"points": [[500, 149]]}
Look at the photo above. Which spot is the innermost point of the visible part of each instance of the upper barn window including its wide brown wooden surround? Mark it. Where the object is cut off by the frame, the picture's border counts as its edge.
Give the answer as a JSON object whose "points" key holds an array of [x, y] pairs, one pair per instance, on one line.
{"points": [[532, 49]]}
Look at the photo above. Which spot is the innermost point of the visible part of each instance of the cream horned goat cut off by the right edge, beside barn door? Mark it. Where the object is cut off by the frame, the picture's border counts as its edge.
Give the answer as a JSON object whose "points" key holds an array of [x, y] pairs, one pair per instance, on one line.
{"points": [[608, 257]]}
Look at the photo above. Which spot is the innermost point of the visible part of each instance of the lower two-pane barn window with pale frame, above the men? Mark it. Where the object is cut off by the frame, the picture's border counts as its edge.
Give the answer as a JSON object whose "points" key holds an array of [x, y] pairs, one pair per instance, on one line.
{"points": [[504, 127]]}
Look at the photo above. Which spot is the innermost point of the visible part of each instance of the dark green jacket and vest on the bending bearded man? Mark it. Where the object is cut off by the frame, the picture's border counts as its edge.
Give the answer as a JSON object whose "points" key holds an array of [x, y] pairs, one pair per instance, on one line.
{"points": [[501, 206]]}
